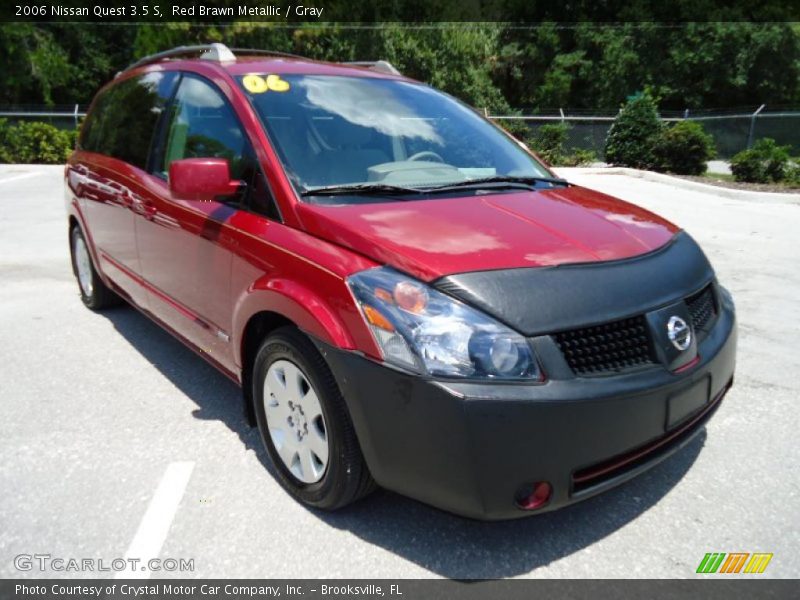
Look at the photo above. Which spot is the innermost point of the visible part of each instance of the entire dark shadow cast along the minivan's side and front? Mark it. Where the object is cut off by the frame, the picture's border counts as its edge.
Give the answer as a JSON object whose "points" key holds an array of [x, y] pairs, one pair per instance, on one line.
{"points": [[444, 544]]}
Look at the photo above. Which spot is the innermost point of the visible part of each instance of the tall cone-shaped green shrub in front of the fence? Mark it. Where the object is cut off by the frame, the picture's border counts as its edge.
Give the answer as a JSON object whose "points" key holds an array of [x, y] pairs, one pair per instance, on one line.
{"points": [[632, 136]]}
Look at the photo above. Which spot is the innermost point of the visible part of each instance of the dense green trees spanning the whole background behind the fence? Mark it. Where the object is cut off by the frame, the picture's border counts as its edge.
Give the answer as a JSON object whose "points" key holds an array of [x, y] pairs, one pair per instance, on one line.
{"points": [[585, 64]]}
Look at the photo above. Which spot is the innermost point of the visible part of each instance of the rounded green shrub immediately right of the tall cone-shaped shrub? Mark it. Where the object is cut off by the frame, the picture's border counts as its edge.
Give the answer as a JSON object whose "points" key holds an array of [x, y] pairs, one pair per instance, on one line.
{"points": [[683, 148]]}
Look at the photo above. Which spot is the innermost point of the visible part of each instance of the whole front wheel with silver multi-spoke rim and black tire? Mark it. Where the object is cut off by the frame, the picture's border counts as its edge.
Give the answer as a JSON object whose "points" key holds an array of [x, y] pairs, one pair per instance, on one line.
{"points": [[305, 425]]}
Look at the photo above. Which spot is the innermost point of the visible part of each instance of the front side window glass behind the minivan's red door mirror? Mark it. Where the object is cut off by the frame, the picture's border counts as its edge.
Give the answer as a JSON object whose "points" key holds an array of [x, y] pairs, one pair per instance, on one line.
{"points": [[202, 124]]}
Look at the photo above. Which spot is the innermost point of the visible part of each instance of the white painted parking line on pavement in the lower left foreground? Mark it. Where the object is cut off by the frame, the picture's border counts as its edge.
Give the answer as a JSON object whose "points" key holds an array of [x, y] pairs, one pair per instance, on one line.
{"points": [[156, 522]]}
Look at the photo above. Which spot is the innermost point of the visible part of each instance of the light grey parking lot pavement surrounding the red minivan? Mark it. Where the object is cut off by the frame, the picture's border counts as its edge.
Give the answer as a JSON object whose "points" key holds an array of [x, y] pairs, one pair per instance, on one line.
{"points": [[116, 440]]}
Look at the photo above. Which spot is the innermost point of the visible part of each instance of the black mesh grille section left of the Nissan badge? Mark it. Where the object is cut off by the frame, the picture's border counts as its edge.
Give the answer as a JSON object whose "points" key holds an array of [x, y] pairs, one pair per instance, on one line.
{"points": [[612, 347]]}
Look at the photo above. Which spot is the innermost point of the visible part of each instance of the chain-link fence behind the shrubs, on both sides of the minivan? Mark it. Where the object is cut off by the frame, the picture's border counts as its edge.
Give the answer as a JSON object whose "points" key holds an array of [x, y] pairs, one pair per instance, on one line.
{"points": [[732, 131]]}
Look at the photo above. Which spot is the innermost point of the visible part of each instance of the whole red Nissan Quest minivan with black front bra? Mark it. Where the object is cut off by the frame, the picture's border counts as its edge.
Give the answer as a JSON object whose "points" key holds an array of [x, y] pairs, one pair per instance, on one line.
{"points": [[406, 295]]}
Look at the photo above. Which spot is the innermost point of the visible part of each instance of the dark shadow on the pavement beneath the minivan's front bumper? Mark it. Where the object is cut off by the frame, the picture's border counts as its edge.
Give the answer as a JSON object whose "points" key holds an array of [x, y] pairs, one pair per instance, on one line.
{"points": [[460, 548]]}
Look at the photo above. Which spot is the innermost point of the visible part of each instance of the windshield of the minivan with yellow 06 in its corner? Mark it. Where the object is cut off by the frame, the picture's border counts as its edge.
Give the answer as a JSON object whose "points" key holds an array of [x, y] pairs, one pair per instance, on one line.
{"points": [[335, 131]]}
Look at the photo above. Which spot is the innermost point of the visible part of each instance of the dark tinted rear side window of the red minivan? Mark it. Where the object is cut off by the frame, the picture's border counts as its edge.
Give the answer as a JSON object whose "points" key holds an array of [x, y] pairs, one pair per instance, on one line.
{"points": [[124, 117]]}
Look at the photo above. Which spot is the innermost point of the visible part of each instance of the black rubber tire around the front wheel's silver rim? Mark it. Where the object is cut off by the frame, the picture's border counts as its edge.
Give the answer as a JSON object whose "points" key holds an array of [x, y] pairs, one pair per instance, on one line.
{"points": [[346, 478]]}
